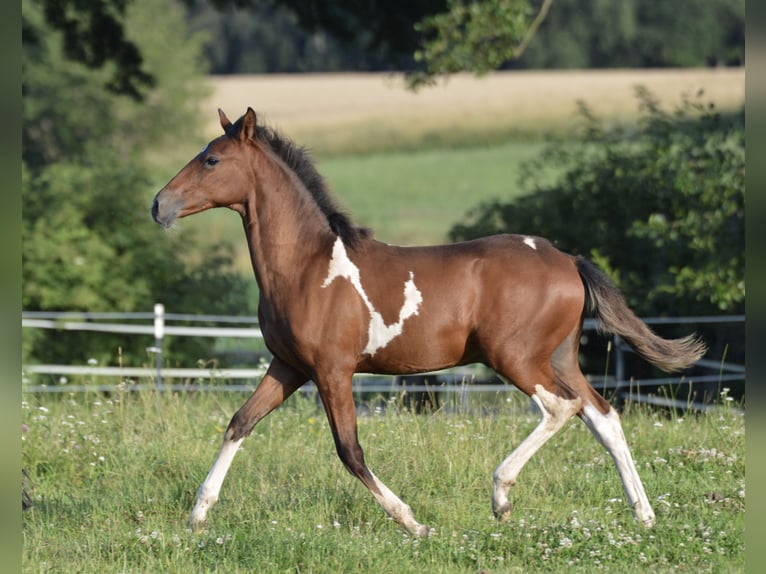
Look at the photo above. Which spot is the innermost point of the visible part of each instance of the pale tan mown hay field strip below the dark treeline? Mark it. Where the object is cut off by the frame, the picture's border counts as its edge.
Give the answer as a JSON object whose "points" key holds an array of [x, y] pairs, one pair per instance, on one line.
{"points": [[348, 113]]}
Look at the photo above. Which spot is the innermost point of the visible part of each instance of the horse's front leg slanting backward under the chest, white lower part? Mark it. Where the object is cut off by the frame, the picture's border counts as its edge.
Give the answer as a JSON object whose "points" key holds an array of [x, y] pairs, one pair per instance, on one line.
{"points": [[338, 401]]}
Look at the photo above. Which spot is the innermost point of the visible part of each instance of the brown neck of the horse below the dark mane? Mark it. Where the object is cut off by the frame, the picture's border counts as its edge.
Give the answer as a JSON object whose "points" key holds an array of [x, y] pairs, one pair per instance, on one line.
{"points": [[284, 227]]}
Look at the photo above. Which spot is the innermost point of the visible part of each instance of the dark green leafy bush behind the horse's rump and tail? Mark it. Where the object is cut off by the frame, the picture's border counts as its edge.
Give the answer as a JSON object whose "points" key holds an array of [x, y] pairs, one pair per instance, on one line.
{"points": [[660, 205]]}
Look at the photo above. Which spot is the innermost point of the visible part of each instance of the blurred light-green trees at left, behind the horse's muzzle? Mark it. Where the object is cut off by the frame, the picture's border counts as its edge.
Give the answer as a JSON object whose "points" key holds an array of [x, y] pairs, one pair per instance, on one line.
{"points": [[88, 242]]}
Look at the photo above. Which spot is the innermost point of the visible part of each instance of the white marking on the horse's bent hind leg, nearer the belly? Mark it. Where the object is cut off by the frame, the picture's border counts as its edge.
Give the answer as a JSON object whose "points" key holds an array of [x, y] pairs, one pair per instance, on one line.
{"points": [[556, 411]]}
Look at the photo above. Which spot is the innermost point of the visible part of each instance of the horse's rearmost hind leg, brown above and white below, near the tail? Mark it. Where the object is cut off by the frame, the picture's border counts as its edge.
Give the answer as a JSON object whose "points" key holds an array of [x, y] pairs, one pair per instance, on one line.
{"points": [[604, 422]]}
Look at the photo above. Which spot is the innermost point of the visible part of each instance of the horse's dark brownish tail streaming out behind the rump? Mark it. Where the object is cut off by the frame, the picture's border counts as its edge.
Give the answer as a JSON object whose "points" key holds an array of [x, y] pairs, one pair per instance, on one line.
{"points": [[614, 316]]}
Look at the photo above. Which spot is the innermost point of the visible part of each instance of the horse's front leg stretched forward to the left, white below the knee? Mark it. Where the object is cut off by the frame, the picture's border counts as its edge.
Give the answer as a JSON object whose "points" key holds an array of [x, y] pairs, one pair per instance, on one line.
{"points": [[279, 382]]}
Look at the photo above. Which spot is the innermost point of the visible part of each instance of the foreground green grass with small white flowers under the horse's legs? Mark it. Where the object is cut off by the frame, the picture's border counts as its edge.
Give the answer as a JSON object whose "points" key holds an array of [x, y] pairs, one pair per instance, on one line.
{"points": [[115, 477]]}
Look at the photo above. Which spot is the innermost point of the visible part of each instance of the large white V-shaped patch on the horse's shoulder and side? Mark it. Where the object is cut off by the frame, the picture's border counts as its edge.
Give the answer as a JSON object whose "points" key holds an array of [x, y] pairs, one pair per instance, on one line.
{"points": [[379, 334]]}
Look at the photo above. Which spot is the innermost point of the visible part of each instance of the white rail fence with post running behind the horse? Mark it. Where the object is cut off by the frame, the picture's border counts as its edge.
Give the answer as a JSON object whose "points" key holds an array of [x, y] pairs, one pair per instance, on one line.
{"points": [[451, 380]]}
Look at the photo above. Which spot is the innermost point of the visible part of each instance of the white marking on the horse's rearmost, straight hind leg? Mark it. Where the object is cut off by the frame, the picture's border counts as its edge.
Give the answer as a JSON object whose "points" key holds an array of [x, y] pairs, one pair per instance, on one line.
{"points": [[608, 430]]}
